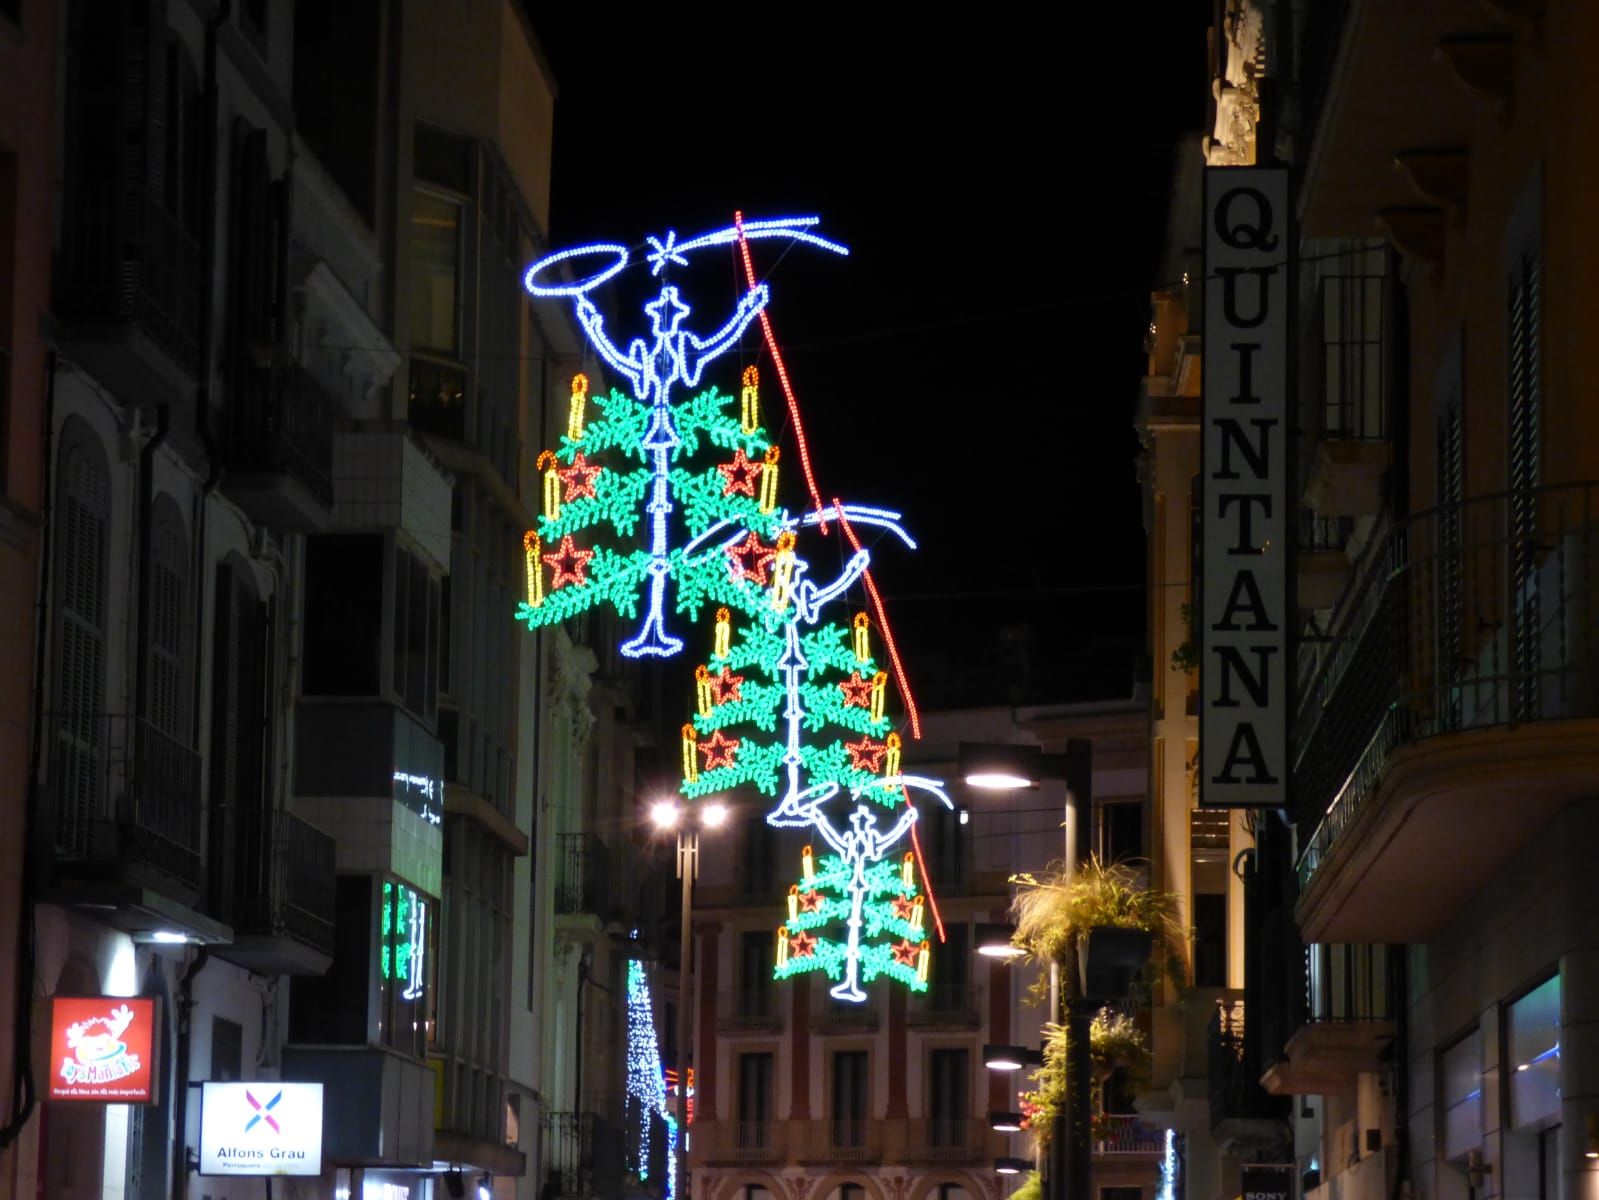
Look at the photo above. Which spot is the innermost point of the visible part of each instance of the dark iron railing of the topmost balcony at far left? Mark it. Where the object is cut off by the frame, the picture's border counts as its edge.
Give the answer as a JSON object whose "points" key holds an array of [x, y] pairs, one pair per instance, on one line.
{"points": [[126, 260]]}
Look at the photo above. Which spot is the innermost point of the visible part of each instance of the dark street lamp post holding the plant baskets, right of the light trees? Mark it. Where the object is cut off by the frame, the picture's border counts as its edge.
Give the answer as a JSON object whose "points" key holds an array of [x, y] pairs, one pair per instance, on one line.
{"points": [[1008, 769]]}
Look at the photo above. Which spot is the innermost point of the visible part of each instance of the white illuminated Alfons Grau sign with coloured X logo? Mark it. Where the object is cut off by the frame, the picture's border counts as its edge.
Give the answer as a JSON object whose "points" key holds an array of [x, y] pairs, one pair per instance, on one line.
{"points": [[261, 1129]]}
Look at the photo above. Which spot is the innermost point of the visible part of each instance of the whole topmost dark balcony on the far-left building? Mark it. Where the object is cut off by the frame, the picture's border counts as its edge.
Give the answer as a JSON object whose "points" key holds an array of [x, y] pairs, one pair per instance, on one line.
{"points": [[129, 287]]}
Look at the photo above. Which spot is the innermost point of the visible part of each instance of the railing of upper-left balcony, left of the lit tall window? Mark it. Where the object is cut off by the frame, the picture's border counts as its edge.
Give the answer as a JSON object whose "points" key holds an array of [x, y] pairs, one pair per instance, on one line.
{"points": [[281, 422]]}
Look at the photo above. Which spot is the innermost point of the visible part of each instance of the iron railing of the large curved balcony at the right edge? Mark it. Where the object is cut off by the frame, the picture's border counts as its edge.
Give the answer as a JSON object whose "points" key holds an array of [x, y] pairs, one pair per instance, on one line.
{"points": [[1469, 617]]}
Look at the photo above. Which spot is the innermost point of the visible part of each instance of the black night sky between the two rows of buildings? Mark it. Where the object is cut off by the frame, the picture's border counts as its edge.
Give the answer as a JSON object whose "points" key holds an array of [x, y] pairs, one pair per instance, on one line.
{"points": [[1000, 177]]}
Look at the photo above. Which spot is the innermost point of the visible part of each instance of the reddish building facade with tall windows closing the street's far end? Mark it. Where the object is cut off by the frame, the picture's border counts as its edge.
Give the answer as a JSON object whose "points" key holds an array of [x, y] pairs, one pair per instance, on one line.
{"points": [[799, 1095]]}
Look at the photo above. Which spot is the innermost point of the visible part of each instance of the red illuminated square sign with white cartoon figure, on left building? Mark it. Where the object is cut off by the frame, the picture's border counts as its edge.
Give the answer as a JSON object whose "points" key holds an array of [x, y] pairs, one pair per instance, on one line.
{"points": [[103, 1049]]}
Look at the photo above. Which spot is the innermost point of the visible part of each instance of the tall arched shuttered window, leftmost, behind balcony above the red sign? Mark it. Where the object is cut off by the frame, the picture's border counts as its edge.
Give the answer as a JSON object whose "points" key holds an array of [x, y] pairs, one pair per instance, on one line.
{"points": [[78, 761]]}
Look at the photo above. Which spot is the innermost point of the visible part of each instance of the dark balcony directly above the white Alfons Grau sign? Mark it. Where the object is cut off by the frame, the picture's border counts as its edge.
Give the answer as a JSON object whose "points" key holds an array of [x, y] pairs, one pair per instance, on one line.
{"points": [[276, 879]]}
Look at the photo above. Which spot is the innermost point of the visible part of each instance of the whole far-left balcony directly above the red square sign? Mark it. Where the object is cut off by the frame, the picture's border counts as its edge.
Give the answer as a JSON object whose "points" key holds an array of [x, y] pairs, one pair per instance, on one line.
{"points": [[124, 822]]}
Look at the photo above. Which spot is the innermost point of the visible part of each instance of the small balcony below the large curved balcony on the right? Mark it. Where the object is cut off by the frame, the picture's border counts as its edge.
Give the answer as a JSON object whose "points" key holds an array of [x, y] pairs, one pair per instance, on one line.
{"points": [[1344, 1028]]}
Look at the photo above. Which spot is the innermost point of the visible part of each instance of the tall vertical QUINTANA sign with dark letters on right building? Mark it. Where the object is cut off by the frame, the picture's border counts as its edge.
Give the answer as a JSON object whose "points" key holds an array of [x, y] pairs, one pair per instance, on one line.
{"points": [[1245, 524]]}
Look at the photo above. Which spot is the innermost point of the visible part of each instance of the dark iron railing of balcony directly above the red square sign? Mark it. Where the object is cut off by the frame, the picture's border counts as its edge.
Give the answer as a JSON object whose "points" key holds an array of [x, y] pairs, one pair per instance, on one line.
{"points": [[124, 794]]}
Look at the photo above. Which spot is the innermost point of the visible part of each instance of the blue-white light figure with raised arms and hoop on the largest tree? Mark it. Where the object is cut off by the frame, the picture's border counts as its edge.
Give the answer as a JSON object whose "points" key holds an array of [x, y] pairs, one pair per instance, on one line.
{"points": [[672, 356]]}
